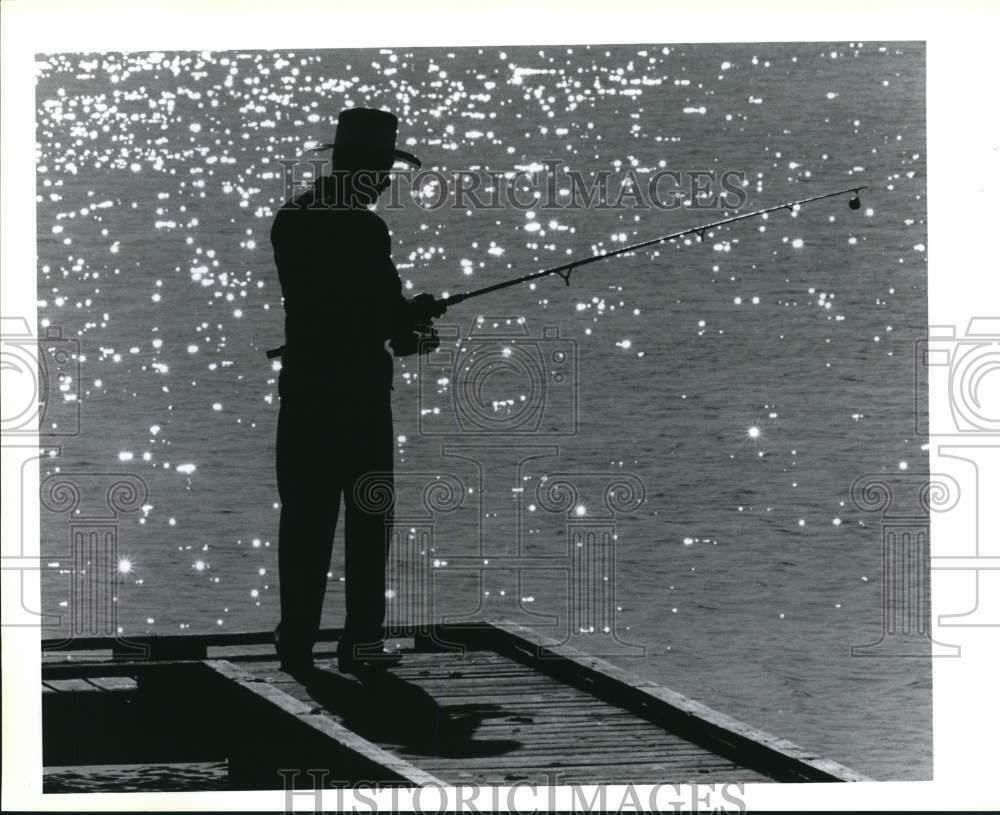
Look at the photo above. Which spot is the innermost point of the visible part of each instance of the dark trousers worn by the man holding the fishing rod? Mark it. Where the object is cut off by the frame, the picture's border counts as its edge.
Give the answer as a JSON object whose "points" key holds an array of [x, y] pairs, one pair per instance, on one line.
{"points": [[328, 447]]}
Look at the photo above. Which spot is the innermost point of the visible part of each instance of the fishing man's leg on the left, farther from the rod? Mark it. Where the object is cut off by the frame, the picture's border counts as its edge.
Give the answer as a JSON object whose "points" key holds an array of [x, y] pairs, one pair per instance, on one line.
{"points": [[308, 486]]}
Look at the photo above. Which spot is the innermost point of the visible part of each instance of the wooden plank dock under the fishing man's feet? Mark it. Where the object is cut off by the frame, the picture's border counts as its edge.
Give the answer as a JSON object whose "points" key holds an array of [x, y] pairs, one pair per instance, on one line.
{"points": [[490, 703]]}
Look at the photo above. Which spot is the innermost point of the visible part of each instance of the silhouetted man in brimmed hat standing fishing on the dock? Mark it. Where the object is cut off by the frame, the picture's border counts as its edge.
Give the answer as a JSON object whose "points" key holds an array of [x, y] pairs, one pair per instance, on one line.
{"points": [[343, 301]]}
